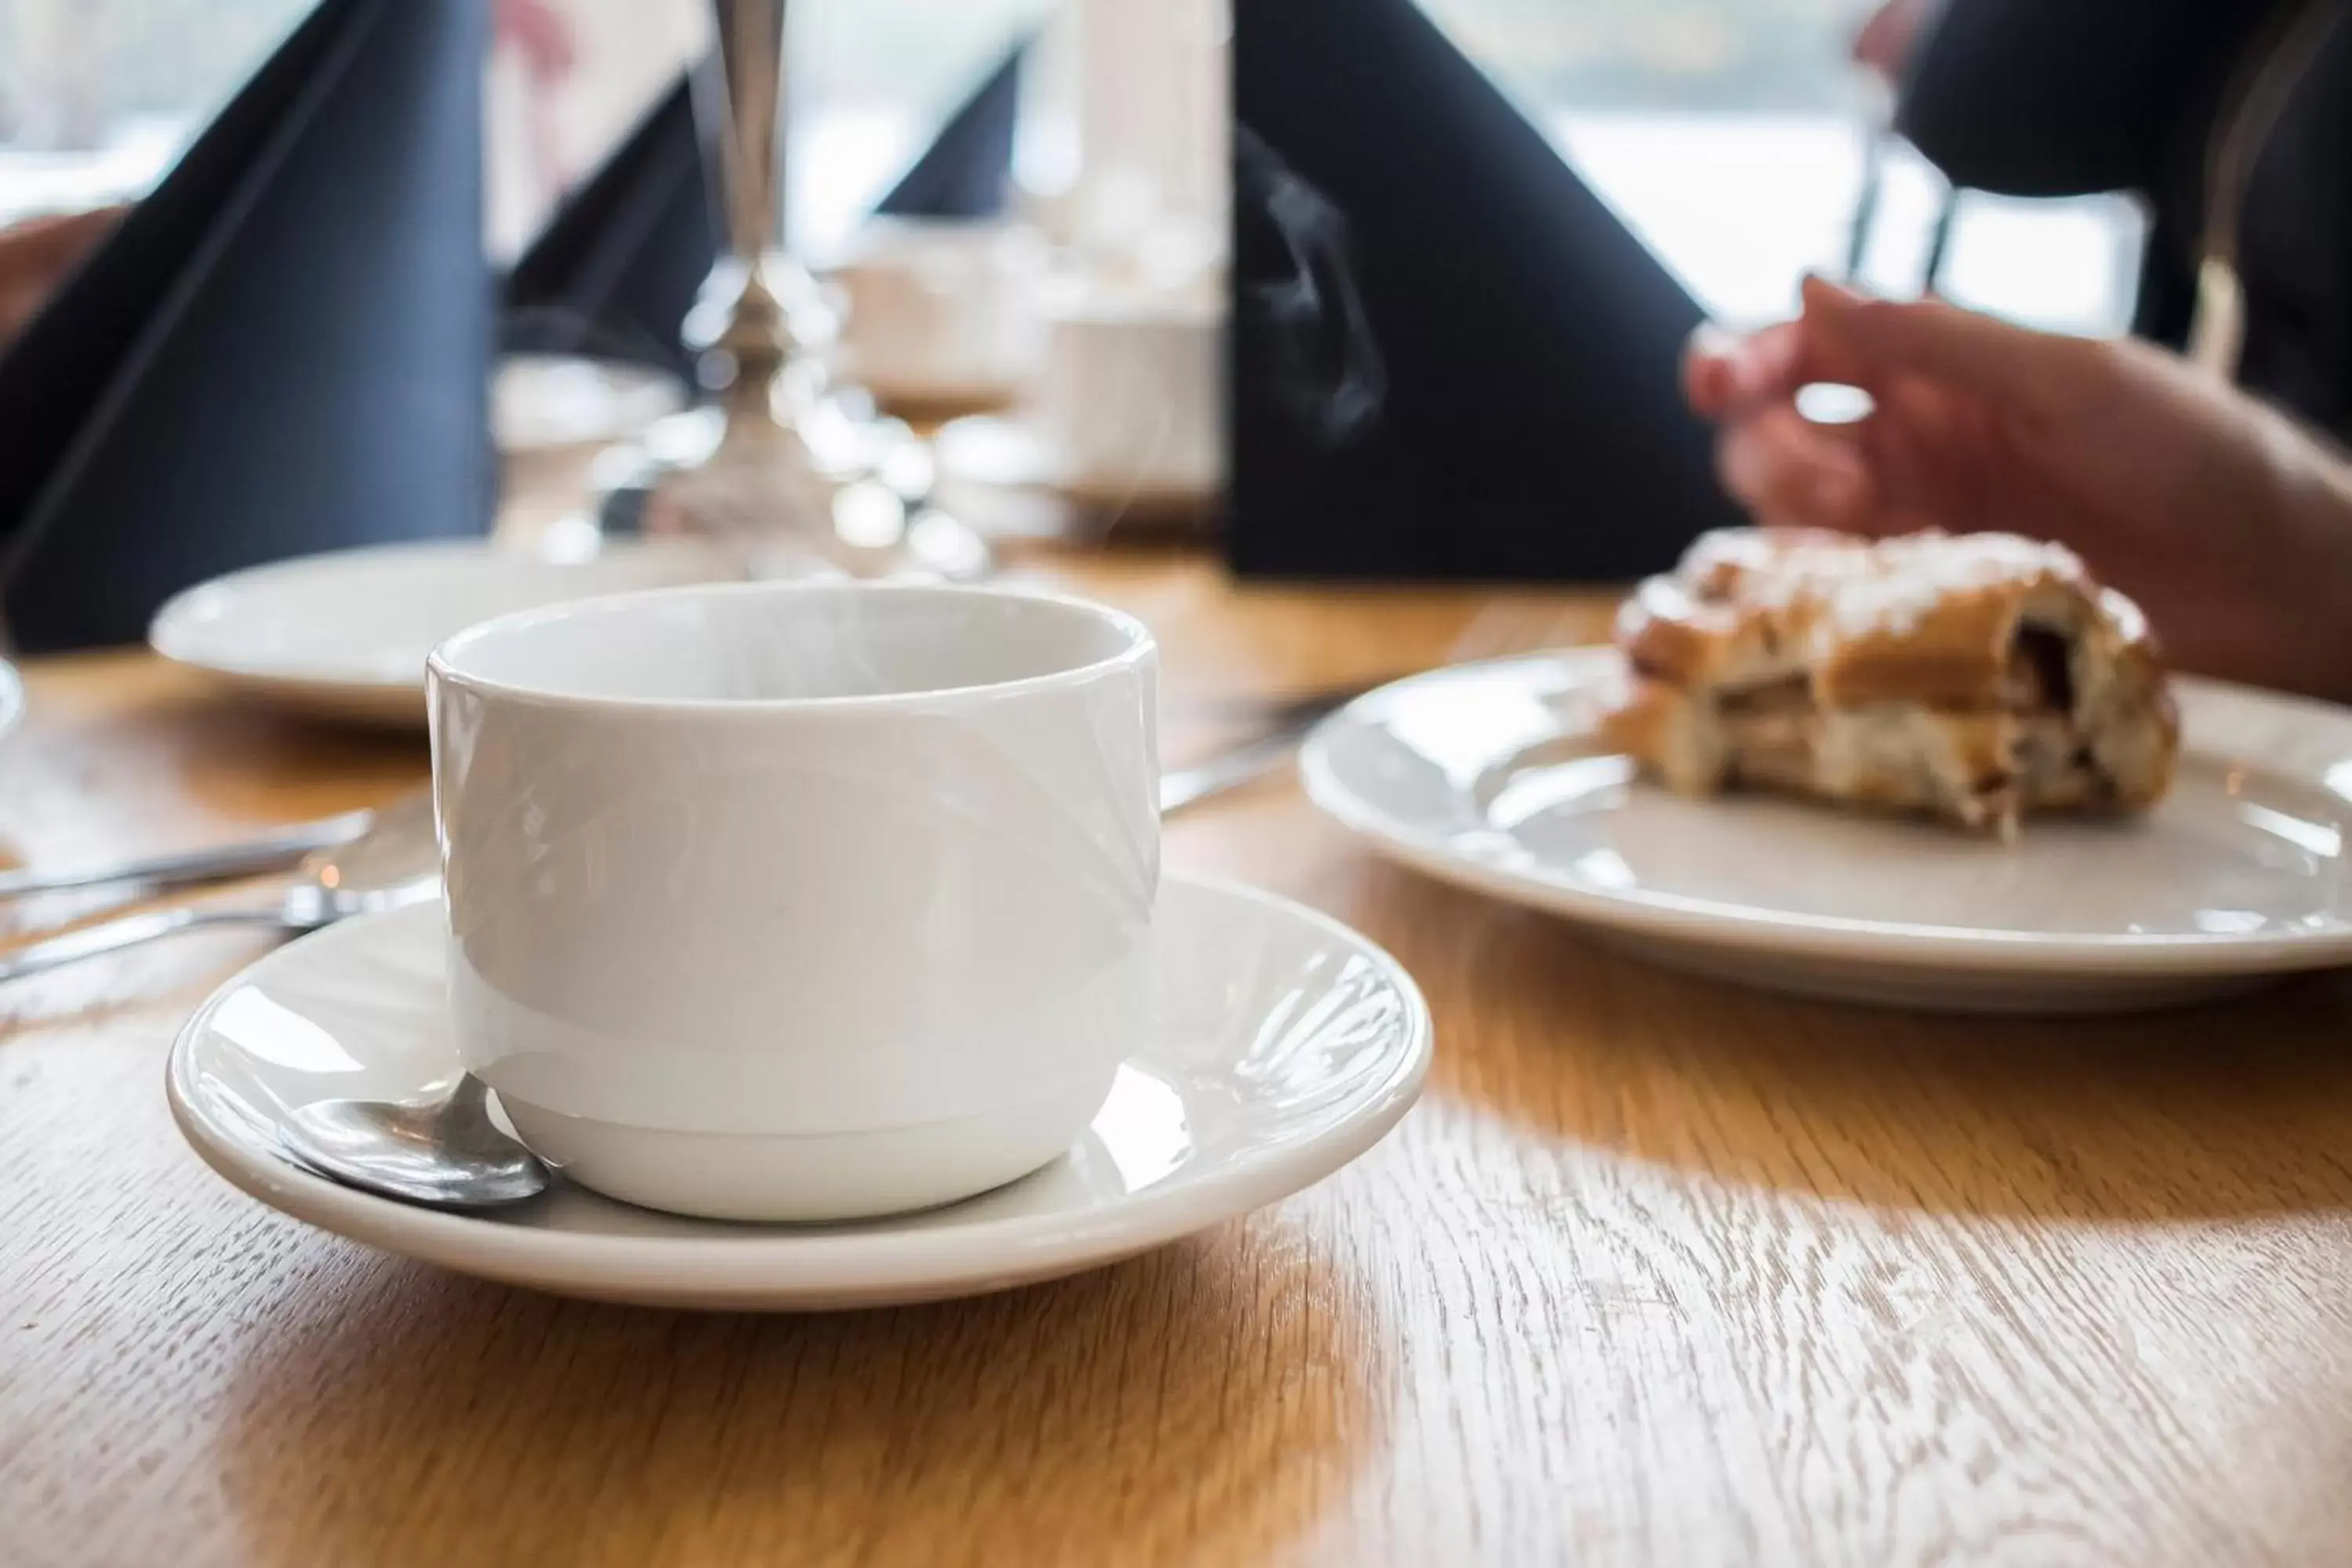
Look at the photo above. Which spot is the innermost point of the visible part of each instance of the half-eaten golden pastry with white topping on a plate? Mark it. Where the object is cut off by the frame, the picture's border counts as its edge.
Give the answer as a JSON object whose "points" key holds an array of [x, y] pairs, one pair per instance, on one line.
{"points": [[1972, 676]]}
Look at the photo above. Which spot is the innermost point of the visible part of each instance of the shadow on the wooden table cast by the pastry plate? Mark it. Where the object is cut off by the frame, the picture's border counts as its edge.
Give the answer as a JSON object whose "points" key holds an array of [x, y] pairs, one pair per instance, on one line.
{"points": [[2219, 1111]]}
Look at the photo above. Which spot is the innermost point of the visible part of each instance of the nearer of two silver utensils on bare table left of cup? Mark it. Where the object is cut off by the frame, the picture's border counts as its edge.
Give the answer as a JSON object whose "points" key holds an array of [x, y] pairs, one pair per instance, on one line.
{"points": [[392, 864]]}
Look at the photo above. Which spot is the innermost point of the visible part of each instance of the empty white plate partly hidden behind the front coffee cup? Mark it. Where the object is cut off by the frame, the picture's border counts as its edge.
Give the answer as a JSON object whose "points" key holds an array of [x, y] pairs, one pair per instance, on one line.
{"points": [[347, 634]]}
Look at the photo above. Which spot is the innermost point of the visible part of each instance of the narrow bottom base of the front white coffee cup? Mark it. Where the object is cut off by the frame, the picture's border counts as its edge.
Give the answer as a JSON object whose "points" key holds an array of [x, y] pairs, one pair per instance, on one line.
{"points": [[813, 1177]]}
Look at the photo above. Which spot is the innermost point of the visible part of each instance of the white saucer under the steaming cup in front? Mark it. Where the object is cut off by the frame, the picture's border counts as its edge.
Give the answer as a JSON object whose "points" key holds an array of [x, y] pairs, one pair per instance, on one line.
{"points": [[1283, 1047]]}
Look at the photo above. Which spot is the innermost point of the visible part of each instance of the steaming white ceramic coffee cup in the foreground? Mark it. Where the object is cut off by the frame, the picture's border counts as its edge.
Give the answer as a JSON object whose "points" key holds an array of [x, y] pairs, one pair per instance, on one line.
{"points": [[799, 902]]}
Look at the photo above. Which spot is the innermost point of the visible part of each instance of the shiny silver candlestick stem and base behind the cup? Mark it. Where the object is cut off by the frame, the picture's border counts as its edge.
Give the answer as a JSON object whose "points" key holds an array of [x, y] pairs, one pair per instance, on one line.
{"points": [[761, 485]]}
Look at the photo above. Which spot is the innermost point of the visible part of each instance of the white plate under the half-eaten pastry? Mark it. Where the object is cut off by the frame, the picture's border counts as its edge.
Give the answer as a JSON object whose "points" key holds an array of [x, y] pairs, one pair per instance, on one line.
{"points": [[1488, 777]]}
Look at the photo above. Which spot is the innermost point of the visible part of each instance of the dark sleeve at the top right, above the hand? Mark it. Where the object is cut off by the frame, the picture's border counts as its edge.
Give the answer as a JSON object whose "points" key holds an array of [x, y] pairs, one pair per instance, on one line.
{"points": [[2062, 98]]}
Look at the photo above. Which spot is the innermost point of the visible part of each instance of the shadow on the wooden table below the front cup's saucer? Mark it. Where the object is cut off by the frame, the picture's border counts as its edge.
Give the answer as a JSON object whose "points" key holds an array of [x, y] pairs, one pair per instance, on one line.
{"points": [[1196, 1400]]}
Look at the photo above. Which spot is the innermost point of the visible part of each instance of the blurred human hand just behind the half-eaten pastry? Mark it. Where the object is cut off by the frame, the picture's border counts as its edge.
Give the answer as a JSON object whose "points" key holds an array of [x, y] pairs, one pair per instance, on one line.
{"points": [[2226, 523]]}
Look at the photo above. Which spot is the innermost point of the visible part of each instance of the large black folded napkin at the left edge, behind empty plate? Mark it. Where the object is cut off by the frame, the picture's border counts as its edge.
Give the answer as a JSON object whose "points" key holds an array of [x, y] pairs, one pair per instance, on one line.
{"points": [[283, 349]]}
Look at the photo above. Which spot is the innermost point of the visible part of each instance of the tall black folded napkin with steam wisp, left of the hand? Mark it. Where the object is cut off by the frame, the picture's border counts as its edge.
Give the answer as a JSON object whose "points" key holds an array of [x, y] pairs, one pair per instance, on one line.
{"points": [[1450, 359]]}
